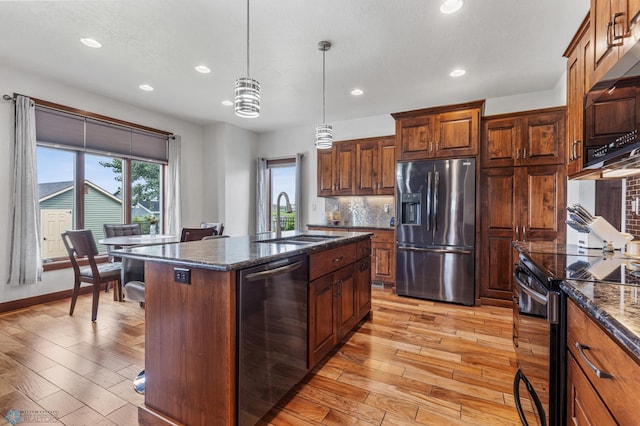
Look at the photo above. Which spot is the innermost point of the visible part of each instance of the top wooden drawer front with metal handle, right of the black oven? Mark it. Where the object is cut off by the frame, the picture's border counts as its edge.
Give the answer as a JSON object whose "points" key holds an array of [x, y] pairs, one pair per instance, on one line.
{"points": [[619, 379]]}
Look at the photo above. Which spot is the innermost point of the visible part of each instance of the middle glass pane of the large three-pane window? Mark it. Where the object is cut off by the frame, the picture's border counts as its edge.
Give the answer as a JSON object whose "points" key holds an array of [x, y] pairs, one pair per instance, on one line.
{"points": [[102, 194]]}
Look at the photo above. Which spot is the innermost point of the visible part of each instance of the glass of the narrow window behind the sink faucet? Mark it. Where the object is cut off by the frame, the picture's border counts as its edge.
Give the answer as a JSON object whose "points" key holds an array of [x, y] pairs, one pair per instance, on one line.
{"points": [[282, 178]]}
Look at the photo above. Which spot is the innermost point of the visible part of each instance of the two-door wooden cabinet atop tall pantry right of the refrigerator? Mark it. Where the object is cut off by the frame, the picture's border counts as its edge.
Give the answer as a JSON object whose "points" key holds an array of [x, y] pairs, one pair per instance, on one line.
{"points": [[524, 139]]}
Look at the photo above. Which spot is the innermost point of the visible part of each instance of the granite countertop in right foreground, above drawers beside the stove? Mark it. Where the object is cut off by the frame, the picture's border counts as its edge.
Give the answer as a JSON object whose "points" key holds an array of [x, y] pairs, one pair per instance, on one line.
{"points": [[614, 306]]}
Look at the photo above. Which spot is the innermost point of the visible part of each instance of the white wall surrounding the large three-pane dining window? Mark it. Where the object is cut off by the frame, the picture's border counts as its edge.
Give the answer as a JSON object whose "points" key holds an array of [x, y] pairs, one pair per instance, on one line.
{"points": [[15, 81]]}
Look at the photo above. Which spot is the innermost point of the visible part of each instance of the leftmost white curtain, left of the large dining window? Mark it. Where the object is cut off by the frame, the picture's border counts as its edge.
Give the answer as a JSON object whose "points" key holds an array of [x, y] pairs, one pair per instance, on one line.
{"points": [[25, 264]]}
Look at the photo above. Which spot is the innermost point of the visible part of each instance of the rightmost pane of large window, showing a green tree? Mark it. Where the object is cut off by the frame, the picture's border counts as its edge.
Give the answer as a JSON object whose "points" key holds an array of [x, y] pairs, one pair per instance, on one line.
{"points": [[146, 194]]}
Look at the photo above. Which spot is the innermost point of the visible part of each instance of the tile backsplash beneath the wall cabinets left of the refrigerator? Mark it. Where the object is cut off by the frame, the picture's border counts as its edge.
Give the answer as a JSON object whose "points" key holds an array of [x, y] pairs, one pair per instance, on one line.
{"points": [[360, 211]]}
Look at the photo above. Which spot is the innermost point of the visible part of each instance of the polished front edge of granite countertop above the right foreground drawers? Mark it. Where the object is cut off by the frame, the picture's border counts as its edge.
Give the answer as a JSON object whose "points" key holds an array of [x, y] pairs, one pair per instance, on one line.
{"points": [[628, 339]]}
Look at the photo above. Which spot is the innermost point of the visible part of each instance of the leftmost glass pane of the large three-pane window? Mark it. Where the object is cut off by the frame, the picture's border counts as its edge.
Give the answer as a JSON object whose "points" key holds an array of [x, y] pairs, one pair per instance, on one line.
{"points": [[56, 194]]}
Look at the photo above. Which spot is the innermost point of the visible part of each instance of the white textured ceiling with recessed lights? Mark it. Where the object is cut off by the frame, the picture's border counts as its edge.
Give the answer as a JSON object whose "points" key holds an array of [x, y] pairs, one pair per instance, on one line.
{"points": [[400, 52]]}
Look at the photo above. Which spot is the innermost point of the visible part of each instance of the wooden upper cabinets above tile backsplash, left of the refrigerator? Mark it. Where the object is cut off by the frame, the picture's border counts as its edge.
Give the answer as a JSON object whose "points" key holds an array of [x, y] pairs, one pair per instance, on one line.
{"points": [[357, 167]]}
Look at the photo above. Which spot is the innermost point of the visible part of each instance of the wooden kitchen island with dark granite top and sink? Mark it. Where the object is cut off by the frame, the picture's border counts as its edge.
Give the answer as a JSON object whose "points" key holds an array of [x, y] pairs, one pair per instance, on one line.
{"points": [[192, 316]]}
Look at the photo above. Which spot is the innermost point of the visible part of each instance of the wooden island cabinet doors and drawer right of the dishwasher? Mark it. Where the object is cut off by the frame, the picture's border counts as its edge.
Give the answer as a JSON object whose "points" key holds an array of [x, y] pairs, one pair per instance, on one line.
{"points": [[339, 296]]}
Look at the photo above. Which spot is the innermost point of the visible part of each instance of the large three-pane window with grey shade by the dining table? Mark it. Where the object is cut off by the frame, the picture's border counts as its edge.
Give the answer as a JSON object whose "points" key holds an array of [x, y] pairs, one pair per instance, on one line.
{"points": [[92, 172]]}
